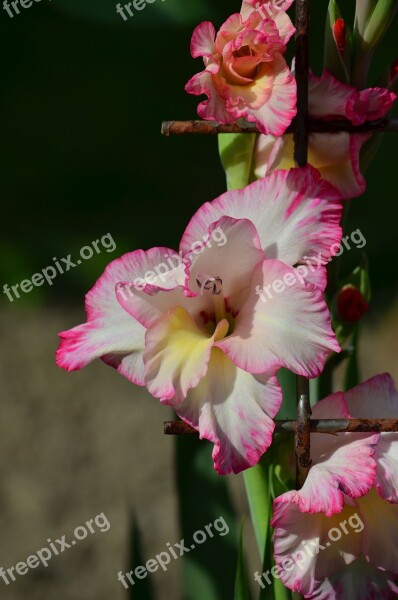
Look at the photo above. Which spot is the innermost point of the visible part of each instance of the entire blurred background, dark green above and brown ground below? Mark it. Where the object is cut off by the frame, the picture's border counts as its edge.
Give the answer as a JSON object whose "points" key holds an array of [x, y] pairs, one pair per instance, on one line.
{"points": [[83, 94]]}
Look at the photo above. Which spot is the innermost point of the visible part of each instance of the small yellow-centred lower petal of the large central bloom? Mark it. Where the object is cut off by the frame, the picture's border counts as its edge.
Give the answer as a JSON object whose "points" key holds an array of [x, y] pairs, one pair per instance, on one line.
{"points": [[177, 353]]}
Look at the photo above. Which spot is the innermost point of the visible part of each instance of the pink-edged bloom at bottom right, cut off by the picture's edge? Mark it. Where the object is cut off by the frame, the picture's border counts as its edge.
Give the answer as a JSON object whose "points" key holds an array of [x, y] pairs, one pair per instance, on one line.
{"points": [[354, 480]]}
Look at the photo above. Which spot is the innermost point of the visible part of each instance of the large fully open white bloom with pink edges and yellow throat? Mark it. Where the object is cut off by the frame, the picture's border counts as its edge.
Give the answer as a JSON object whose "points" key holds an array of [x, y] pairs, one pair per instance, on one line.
{"points": [[192, 326]]}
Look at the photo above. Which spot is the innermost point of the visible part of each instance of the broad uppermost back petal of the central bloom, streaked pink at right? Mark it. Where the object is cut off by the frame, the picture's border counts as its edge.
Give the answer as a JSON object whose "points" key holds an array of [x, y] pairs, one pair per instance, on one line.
{"points": [[296, 214]]}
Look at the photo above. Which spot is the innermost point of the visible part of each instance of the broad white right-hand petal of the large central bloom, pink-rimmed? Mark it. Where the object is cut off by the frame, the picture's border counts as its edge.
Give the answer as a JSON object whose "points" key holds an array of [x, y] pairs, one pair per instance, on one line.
{"points": [[284, 322]]}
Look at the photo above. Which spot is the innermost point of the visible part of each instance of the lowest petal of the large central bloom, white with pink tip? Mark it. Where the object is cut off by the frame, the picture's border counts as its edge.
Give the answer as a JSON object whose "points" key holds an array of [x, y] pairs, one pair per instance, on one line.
{"points": [[234, 410]]}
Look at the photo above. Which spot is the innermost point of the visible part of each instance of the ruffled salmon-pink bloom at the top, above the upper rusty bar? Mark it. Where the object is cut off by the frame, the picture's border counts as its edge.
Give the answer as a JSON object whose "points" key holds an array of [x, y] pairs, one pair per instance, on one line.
{"points": [[245, 73]]}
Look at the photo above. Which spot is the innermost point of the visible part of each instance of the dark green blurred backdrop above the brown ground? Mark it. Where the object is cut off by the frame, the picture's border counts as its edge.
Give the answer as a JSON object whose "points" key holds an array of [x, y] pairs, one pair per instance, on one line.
{"points": [[83, 94]]}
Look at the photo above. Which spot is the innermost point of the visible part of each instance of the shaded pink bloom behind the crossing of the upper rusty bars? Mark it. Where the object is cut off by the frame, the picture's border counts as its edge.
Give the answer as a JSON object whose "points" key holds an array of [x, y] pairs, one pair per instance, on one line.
{"points": [[335, 155]]}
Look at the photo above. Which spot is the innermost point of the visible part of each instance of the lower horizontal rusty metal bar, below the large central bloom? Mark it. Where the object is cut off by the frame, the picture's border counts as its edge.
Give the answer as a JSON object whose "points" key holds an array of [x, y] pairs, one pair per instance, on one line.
{"points": [[315, 426]]}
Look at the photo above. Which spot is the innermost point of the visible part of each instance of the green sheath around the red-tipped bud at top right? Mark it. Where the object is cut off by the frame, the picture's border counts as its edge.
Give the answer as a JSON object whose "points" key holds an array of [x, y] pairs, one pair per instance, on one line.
{"points": [[335, 62]]}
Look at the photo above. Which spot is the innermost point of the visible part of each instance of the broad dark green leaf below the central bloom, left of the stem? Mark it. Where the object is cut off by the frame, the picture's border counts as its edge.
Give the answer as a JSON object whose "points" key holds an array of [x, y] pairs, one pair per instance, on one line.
{"points": [[204, 497]]}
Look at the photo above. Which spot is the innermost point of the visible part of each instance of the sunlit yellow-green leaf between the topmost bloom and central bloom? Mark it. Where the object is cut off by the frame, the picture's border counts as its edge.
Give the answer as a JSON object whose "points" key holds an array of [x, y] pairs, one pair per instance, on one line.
{"points": [[236, 153]]}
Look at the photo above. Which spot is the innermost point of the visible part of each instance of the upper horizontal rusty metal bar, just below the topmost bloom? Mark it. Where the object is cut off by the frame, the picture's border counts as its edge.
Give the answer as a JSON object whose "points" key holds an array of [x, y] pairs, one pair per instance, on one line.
{"points": [[313, 126]]}
